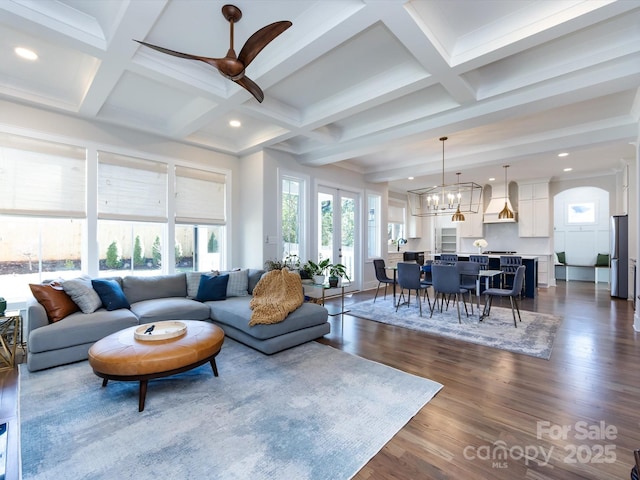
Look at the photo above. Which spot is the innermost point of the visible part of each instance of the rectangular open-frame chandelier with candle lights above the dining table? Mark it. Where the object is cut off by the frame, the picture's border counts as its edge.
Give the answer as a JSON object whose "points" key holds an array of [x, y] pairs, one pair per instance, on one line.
{"points": [[455, 199]]}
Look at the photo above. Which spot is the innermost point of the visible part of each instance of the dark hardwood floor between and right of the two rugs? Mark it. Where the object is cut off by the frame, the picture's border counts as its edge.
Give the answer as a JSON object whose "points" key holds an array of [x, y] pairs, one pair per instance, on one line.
{"points": [[580, 410]]}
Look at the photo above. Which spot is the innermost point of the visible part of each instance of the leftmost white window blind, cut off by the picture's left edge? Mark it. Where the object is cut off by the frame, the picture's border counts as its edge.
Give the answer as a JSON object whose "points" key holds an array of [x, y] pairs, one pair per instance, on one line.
{"points": [[41, 178]]}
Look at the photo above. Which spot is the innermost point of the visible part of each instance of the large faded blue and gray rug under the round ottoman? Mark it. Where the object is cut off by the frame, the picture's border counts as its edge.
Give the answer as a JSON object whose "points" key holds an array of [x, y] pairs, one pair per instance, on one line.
{"points": [[311, 412]]}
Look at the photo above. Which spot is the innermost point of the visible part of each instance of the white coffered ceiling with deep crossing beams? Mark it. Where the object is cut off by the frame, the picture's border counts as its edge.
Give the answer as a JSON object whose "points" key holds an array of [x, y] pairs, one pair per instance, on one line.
{"points": [[368, 85]]}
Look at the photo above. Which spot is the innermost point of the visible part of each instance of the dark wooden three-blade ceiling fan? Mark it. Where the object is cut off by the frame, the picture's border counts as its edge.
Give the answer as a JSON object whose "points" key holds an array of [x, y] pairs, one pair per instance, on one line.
{"points": [[232, 66]]}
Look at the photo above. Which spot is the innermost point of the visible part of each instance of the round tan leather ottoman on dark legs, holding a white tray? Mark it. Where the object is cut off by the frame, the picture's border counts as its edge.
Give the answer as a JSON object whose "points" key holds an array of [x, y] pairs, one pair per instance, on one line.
{"points": [[121, 356]]}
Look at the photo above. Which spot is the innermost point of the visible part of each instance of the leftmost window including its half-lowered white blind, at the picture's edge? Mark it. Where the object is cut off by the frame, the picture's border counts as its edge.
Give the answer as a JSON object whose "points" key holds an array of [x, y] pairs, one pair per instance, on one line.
{"points": [[43, 219]]}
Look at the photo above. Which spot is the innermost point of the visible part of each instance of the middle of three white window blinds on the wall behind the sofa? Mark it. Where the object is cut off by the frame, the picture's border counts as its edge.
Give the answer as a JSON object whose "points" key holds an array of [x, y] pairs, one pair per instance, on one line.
{"points": [[131, 188]]}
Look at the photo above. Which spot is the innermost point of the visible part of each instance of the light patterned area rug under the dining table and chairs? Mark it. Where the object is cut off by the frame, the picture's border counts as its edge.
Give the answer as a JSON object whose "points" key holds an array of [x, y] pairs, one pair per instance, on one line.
{"points": [[534, 336]]}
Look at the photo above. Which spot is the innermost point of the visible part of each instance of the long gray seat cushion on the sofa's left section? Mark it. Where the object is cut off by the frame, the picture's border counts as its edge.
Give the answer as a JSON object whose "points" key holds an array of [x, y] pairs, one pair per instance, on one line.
{"points": [[79, 329]]}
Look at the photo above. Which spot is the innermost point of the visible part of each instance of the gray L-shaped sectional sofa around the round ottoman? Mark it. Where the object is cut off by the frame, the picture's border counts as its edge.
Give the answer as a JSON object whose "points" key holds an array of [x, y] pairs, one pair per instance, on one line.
{"points": [[167, 297]]}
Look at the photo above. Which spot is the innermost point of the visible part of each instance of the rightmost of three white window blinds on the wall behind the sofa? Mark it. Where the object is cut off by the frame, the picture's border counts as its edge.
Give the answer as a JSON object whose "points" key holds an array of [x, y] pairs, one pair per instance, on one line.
{"points": [[200, 196]]}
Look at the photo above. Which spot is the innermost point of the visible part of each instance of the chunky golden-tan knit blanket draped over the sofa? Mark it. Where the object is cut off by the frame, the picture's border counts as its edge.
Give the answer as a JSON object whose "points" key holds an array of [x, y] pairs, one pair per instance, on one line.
{"points": [[277, 294]]}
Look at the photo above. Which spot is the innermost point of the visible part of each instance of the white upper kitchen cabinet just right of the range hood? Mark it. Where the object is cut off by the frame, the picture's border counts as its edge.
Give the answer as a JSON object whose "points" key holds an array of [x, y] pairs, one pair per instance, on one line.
{"points": [[533, 209]]}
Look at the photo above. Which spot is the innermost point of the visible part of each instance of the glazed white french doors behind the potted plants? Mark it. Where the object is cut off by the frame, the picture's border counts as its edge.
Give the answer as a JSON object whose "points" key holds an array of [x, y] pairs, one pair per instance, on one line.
{"points": [[338, 220]]}
